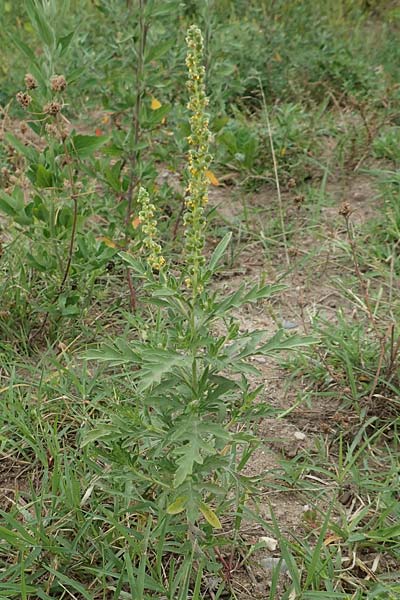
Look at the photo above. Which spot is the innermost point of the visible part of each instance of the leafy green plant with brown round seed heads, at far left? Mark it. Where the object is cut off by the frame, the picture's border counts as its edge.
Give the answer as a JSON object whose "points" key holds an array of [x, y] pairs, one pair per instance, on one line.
{"points": [[47, 196]]}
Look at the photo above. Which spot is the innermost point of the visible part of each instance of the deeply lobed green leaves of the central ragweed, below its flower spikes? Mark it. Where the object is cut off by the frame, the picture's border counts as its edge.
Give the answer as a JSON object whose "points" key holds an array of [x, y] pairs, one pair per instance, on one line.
{"points": [[183, 392]]}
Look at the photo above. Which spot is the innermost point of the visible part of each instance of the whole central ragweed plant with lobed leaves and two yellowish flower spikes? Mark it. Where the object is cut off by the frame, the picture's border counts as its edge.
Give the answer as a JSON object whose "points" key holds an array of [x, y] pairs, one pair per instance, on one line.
{"points": [[175, 442]]}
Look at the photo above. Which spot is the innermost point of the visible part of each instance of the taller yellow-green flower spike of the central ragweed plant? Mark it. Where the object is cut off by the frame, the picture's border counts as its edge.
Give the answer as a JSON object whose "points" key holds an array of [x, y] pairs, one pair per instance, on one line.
{"points": [[199, 158]]}
